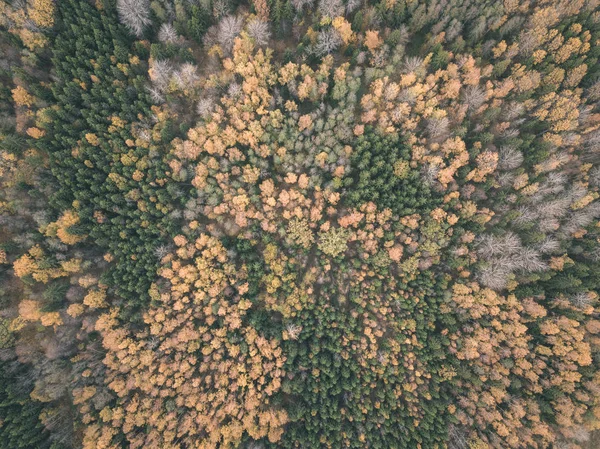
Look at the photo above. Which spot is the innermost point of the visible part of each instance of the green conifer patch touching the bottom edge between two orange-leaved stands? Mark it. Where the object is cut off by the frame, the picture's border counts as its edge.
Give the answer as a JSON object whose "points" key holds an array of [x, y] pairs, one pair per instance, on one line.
{"points": [[341, 397]]}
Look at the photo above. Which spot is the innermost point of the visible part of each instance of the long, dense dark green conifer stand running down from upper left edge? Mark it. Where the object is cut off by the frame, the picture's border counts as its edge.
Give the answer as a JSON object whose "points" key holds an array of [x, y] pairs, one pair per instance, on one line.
{"points": [[85, 106]]}
